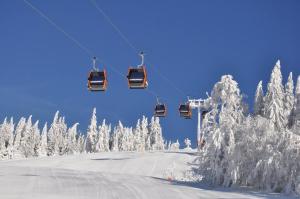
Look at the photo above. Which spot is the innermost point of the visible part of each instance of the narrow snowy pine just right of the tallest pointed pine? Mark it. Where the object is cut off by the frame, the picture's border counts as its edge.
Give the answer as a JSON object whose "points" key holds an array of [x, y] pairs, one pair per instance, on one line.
{"points": [[289, 99]]}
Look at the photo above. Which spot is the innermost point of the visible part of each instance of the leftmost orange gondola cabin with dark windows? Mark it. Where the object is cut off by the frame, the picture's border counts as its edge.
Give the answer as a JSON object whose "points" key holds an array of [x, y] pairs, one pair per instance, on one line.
{"points": [[97, 81]]}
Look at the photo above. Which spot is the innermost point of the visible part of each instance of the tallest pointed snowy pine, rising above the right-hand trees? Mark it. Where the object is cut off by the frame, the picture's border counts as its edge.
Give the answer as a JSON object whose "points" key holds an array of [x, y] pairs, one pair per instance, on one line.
{"points": [[274, 106]]}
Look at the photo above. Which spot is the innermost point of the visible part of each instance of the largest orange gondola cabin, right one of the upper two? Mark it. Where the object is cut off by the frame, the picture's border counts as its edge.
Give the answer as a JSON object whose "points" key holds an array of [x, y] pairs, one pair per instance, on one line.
{"points": [[137, 78]]}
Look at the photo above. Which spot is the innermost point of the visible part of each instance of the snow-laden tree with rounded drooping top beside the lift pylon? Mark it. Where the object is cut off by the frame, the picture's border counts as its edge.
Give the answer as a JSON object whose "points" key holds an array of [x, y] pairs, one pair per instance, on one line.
{"points": [[227, 99]]}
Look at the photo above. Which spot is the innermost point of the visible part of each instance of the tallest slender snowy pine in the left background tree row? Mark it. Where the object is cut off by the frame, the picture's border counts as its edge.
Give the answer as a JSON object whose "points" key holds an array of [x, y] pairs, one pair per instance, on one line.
{"points": [[92, 134]]}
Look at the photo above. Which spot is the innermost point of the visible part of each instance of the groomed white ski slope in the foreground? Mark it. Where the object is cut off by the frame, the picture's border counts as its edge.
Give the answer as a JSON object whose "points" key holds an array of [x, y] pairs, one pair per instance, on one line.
{"points": [[124, 175]]}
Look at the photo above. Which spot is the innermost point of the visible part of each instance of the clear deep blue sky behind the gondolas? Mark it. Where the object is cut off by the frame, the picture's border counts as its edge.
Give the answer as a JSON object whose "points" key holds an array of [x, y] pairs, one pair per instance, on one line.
{"points": [[191, 42]]}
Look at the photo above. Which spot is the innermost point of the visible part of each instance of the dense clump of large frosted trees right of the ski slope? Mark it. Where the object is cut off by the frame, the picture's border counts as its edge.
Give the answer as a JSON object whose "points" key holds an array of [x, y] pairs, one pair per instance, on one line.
{"points": [[259, 149]]}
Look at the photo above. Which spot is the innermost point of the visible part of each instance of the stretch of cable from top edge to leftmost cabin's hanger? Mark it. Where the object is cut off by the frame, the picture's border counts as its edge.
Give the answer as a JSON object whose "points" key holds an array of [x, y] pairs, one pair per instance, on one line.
{"points": [[42, 14]]}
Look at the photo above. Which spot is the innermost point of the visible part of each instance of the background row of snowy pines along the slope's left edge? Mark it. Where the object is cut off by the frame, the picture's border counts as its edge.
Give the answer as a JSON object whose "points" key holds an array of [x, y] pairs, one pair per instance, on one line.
{"points": [[25, 139]]}
